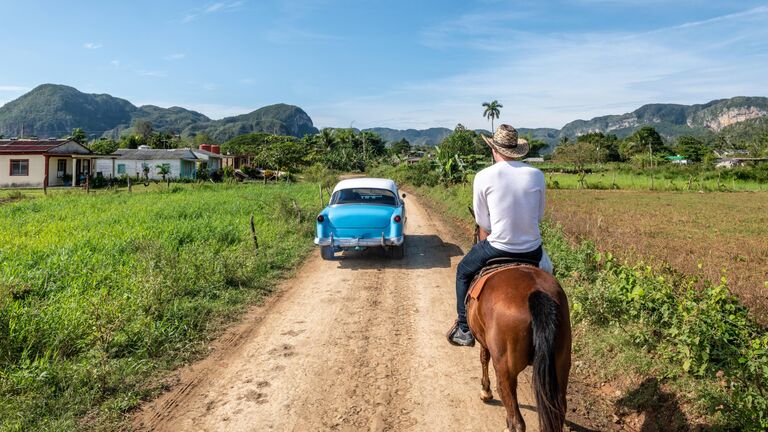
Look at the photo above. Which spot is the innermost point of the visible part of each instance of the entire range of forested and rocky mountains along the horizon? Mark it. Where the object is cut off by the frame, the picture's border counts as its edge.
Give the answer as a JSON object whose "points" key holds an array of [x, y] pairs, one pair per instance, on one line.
{"points": [[52, 110]]}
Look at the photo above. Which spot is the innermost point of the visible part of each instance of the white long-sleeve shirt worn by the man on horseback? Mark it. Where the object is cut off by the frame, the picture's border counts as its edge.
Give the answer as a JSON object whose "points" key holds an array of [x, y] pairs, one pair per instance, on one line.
{"points": [[509, 198]]}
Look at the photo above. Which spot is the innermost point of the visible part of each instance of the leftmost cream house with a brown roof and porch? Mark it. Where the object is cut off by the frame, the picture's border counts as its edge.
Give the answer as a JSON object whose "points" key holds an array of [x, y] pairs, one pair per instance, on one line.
{"points": [[26, 163]]}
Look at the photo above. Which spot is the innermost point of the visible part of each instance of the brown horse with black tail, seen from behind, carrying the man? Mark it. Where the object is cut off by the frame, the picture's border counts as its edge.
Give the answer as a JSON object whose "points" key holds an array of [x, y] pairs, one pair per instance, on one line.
{"points": [[521, 318]]}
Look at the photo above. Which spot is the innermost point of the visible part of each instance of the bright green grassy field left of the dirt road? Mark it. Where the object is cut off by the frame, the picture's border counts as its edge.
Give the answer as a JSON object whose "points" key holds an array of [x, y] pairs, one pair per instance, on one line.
{"points": [[101, 293]]}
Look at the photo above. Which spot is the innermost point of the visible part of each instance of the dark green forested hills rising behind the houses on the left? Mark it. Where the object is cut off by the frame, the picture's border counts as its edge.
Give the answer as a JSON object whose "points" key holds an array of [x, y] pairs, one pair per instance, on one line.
{"points": [[52, 110]]}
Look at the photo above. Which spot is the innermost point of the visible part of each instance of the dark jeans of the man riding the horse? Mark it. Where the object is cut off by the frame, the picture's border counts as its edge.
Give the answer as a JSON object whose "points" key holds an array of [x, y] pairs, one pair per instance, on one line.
{"points": [[473, 262]]}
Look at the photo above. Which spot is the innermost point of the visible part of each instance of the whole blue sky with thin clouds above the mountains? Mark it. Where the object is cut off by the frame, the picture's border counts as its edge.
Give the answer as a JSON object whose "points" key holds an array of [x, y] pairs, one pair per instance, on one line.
{"points": [[393, 63]]}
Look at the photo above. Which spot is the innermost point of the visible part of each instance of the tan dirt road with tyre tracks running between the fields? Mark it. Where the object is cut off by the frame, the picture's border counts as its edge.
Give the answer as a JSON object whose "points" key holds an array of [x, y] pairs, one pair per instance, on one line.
{"points": [[354, 344]]}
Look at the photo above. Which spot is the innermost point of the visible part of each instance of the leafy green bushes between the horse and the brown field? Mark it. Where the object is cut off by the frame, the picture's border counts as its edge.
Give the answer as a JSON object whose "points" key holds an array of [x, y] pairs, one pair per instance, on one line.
{"points": [[698, 326]]}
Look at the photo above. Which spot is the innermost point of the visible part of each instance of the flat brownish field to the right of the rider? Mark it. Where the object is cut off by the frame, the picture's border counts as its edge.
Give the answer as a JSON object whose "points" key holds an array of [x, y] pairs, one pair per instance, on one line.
{"points": [[712, 235]]}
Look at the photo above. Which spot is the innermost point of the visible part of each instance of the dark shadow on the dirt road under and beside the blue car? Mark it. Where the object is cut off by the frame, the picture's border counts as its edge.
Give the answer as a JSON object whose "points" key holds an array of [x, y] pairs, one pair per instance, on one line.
{"points": [[422, 251]]}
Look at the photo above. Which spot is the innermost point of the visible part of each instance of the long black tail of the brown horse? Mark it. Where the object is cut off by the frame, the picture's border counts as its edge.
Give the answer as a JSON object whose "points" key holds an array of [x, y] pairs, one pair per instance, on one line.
{"points": [[544, 314]]}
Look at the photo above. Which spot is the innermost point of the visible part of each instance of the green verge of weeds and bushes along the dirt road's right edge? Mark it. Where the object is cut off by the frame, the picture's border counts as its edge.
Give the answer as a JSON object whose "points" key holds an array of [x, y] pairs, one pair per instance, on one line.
{"points": [[654, 333]]}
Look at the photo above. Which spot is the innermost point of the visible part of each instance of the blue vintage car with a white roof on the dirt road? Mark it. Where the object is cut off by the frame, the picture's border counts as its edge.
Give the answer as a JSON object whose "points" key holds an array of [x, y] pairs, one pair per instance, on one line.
{"points": [[363, 213]]}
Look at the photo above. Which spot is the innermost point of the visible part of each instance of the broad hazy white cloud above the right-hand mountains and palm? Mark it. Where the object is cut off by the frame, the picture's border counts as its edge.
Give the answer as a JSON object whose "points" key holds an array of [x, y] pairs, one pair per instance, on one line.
{"points": [[546, 80]]}
